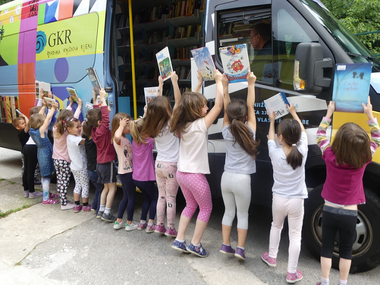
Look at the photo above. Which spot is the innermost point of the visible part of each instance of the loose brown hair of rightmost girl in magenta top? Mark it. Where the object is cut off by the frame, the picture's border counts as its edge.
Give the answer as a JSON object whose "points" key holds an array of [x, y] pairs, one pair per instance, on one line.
{"points": [[352, 146]]}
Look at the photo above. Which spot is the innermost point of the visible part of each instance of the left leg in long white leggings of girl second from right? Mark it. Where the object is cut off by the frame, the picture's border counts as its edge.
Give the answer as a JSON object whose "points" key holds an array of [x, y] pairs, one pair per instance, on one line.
{"points": [[279, 213]]}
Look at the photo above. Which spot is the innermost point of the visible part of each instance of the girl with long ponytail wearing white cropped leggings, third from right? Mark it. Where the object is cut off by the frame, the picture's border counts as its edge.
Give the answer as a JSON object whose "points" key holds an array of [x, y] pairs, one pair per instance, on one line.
{"points": [[239, 129]]}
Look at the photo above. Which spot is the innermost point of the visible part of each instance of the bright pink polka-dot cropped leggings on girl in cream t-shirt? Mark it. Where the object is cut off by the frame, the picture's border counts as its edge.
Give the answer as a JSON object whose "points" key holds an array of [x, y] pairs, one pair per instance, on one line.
{"points": [[196, 191]]}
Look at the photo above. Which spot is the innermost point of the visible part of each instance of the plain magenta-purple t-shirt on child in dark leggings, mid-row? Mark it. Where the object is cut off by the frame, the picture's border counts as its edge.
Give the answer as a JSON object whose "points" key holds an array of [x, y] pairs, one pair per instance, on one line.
{"points": [[143, 163]]}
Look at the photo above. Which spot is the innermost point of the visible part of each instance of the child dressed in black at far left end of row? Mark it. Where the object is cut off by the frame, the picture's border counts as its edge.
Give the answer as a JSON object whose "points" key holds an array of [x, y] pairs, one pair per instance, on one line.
{"points": [[28, 155]]}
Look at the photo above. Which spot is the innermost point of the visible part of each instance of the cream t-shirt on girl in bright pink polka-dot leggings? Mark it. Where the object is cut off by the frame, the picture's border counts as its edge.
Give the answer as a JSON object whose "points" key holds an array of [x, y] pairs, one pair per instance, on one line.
{"points": [[193, 155]]}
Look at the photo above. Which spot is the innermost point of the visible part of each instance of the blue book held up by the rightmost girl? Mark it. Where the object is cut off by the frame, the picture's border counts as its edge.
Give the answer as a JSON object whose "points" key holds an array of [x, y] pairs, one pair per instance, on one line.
{"points": [[351, 86]]}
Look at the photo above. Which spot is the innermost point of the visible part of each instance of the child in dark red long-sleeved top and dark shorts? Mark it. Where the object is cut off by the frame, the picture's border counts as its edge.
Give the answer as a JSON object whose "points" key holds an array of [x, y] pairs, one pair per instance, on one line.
{"points": [[99, 119]]}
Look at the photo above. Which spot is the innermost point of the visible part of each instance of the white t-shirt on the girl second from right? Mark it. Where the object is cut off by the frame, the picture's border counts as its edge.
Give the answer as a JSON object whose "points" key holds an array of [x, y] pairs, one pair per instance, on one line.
{"points": [[288, 182]]}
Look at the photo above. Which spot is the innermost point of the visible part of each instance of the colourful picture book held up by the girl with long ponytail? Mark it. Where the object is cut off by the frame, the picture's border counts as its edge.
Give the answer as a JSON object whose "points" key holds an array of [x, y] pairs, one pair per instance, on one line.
{"points": [[235, 62]]}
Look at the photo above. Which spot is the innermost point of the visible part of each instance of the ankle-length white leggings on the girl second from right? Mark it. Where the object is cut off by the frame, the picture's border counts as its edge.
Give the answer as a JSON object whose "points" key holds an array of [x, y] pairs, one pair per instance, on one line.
{"points": [[293, 208]]}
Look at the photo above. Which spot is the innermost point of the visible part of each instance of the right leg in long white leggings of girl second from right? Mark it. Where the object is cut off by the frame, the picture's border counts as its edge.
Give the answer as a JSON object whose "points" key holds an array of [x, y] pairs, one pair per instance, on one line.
{"points": [[295, 220]]}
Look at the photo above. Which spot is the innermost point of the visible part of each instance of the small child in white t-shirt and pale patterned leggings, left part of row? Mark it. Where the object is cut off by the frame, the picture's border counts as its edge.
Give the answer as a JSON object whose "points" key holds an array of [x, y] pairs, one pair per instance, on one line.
{"points": [[77, 154]]}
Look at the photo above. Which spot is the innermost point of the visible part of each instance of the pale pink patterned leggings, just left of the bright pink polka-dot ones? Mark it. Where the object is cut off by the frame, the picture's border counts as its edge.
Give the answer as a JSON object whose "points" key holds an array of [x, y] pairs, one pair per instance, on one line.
{"points": [[167, 192]]}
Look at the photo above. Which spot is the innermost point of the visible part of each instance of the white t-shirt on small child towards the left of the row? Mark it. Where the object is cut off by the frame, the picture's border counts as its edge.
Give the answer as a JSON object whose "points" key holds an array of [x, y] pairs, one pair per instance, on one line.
{"points": [[77, 153]]}
